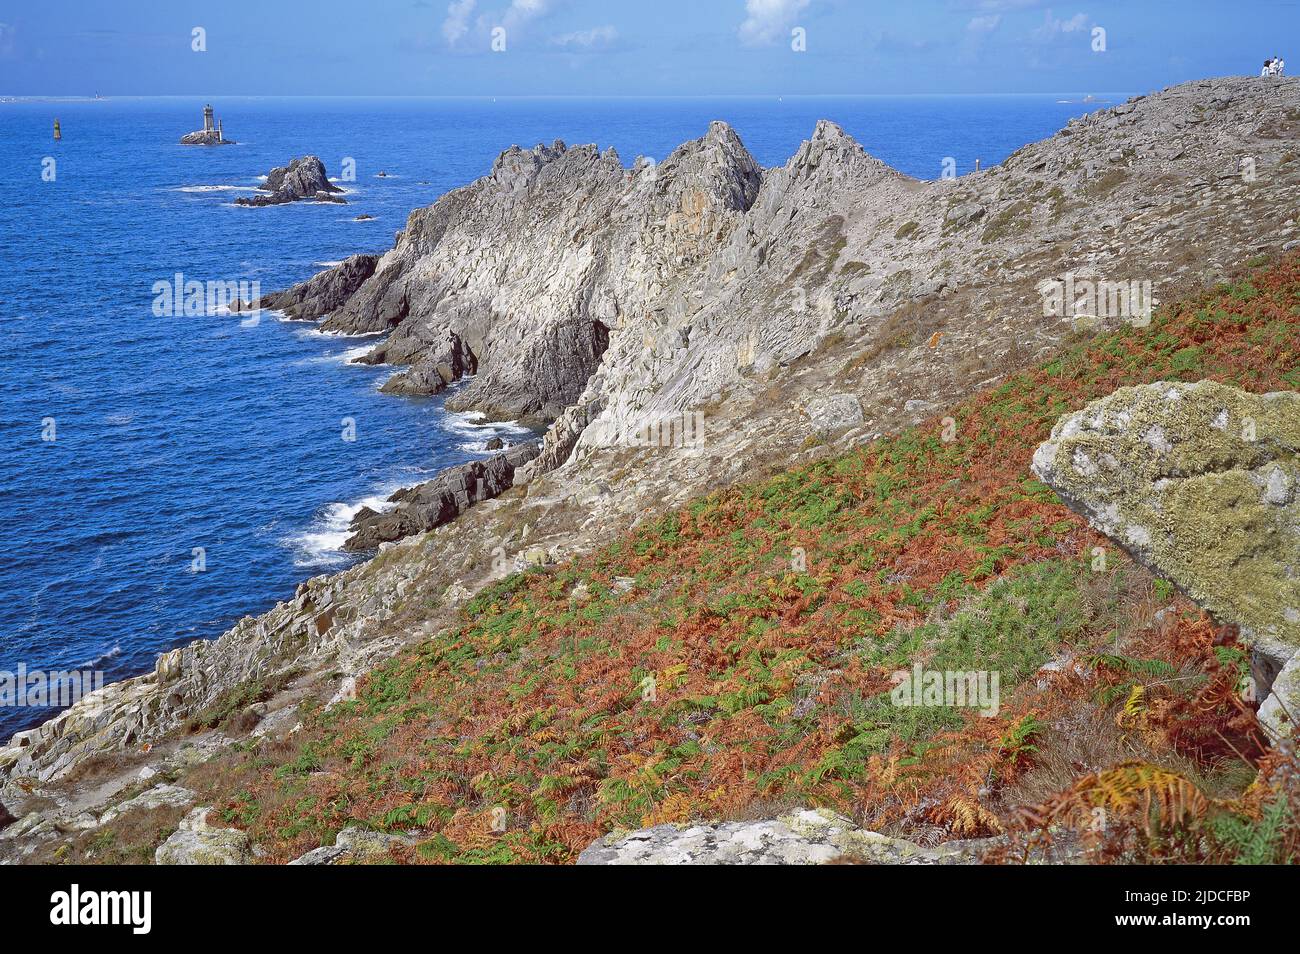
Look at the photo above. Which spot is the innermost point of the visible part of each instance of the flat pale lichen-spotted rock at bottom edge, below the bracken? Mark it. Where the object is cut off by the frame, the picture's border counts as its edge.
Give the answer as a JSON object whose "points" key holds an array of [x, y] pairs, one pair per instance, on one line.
{"points": [[800, 838]]}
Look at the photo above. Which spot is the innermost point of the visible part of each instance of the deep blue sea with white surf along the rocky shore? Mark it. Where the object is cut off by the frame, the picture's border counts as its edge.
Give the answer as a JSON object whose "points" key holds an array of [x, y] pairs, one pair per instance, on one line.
{"points": [[198, 470]]}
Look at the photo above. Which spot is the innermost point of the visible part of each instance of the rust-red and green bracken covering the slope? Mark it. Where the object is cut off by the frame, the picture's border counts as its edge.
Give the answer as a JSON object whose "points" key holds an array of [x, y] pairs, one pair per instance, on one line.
{"points": [[735, 658]]}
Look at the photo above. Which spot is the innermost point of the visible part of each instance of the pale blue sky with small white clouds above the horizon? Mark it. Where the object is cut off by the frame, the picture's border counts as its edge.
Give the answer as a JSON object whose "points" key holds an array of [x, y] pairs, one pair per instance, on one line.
{"points": [[616, 47]]}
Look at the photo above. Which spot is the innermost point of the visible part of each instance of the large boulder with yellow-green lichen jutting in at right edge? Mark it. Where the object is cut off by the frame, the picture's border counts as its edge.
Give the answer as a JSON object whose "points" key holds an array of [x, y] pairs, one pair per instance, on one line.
{"points": [[1198, 482]]}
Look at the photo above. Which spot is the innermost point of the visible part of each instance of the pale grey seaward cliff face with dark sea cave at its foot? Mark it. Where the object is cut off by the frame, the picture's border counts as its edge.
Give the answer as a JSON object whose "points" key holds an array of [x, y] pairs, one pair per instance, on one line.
{"points": [[532, 316]]}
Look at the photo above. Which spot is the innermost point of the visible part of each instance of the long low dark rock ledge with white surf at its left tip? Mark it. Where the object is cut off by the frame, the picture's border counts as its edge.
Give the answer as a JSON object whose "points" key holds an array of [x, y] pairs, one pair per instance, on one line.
{"points": [[440, 501]]}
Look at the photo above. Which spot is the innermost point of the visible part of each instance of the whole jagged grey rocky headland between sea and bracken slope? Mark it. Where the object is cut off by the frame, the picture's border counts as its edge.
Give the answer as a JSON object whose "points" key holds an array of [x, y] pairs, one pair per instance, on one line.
{"points": [[794, 310]]}
